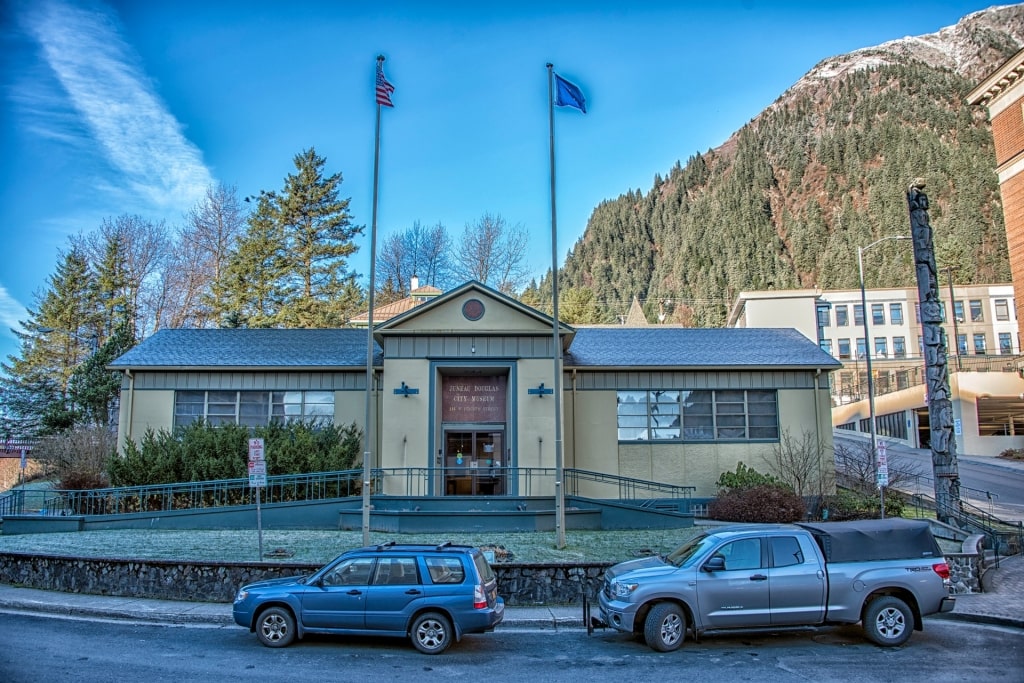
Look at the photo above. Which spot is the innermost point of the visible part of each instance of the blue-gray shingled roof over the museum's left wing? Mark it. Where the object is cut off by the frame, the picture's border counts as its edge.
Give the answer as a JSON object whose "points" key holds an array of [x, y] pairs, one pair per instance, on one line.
{"points": [[251, 349]]}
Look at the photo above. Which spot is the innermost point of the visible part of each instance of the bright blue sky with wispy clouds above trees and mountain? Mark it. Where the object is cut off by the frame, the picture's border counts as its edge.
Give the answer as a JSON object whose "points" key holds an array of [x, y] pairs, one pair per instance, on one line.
{"points": [[136, 108]]}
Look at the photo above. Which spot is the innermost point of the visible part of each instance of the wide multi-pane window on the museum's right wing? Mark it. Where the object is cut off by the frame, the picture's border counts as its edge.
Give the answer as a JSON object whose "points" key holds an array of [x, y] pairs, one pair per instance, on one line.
{"points": [[706, 415]]}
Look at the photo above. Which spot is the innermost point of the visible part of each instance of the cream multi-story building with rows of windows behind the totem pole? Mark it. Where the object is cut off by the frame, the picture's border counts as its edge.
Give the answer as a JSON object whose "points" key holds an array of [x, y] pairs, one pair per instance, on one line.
{"points": [[985, 364]]}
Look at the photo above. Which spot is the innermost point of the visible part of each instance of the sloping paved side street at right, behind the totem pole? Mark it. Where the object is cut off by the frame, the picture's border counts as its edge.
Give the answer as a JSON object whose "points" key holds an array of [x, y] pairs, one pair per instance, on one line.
{"points": [[994, 486]]}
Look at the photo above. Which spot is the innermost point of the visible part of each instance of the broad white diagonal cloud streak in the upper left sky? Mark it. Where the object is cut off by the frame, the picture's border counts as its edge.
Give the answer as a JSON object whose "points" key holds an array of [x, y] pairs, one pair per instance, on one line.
{"points": [[117, 103]]}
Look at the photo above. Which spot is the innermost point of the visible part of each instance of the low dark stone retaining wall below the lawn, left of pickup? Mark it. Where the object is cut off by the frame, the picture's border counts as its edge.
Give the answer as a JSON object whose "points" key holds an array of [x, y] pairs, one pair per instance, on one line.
{"points": [[218, 582]]}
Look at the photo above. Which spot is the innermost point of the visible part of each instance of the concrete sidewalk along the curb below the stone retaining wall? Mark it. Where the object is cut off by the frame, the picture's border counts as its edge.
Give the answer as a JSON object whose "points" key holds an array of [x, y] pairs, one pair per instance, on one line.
{"points": [[1002, 605]]}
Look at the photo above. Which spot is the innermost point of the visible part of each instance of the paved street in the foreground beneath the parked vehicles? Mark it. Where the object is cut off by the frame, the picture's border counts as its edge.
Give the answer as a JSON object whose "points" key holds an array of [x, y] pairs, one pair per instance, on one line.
{"points": [[51, 650]]}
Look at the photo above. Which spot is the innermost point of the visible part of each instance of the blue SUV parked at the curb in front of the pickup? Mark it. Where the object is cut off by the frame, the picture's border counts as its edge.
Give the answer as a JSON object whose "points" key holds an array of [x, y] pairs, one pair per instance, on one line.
{"points": [[431, 594]]}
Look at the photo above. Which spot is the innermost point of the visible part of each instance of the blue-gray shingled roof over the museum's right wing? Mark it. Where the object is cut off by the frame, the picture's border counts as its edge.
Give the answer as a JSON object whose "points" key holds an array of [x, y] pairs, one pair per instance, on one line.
{"points": [[678, 348]]}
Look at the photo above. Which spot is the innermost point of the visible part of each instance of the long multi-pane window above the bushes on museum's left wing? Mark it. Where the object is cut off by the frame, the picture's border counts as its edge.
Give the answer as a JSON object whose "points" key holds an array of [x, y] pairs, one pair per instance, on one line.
{"points": [[252, 409]]}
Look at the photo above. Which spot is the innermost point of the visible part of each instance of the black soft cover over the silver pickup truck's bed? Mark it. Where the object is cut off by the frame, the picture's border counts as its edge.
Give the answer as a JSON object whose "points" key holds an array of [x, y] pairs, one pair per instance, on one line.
{"points": [[866, 540]]}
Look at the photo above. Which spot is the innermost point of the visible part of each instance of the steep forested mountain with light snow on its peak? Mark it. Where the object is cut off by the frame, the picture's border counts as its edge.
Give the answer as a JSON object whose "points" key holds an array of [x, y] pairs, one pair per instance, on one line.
{"points": [[786, 202]]}
